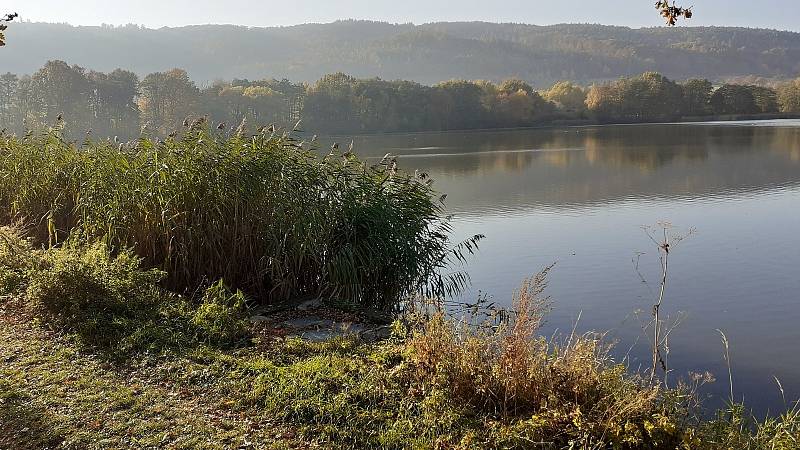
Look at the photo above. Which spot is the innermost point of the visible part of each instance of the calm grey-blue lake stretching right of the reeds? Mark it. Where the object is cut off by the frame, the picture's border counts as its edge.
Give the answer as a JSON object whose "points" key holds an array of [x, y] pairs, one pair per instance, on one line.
{"points": [[579, 196]]}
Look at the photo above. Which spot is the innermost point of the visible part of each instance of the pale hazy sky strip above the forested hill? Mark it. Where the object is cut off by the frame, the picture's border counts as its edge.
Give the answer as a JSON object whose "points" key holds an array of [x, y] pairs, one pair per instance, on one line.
{"points": [[780, 14]]}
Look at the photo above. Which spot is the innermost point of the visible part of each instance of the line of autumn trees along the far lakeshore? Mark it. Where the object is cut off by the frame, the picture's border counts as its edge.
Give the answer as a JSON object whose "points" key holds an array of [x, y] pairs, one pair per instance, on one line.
{"points": [[120, 104]]}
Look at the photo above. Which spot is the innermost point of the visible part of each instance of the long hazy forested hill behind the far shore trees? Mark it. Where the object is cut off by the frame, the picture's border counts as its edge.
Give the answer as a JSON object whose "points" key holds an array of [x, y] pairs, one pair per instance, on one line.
{"points": [[425, 53]]}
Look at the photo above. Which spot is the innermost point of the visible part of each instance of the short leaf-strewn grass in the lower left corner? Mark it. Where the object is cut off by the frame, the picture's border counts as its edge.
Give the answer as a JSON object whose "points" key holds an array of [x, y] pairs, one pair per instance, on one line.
{"points": [[54, 395]]}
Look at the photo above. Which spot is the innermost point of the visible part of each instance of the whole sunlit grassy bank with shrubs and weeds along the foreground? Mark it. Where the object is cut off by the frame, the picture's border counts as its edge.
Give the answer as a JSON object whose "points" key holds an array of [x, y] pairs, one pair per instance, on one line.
{"points": [[96, 354]]}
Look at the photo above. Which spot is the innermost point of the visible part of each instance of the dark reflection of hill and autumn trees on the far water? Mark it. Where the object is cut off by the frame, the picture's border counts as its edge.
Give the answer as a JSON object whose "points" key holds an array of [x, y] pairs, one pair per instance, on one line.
{"points": [[507, 171]]}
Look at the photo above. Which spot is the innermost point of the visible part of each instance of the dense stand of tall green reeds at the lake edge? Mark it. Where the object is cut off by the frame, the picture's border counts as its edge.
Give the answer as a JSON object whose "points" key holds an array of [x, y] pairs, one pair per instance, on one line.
{"points": [[264, 212]]}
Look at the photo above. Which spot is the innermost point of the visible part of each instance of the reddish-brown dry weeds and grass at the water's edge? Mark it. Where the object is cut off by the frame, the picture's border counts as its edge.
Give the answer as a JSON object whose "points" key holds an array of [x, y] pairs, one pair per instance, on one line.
{"points": [[572, 389]]}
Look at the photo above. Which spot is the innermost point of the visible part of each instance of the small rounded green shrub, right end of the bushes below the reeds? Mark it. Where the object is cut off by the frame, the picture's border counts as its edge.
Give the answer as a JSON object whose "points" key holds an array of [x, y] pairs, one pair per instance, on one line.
{"points": [[221, 318]]}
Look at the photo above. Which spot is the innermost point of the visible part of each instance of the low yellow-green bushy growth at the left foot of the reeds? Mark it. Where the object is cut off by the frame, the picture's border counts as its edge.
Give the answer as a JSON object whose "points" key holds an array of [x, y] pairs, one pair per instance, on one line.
{"points": [[111, 302]]}
